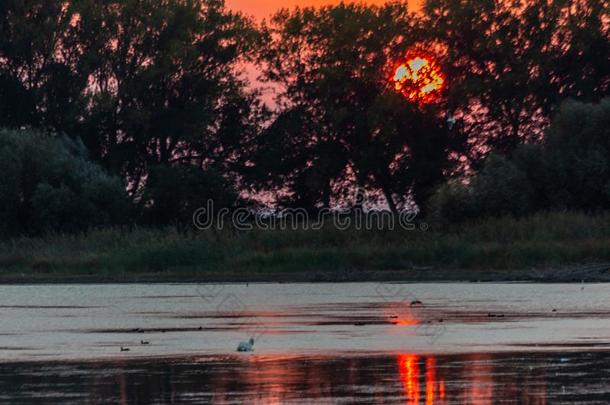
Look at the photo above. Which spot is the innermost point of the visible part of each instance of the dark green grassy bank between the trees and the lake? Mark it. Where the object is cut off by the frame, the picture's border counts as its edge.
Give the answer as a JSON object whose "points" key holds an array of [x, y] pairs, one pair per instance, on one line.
{"points": [[492, 249]]}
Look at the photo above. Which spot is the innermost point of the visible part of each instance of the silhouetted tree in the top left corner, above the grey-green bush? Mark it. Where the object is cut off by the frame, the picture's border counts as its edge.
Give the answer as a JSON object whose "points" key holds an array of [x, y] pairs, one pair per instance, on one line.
{"points": [[41, 78]]}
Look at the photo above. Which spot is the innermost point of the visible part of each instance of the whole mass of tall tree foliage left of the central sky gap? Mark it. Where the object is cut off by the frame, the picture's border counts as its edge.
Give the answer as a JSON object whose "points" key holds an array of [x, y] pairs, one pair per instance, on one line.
{"points": [[142, 83]]}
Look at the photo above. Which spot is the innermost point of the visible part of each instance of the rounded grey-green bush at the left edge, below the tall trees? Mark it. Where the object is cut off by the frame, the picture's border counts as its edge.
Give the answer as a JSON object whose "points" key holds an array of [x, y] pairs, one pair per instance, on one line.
{"points": [[48, 184]]}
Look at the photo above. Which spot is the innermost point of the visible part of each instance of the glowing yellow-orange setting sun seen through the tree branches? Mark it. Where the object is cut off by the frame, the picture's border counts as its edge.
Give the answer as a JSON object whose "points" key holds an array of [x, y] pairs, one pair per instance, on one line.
{"points": [[419, 78]]}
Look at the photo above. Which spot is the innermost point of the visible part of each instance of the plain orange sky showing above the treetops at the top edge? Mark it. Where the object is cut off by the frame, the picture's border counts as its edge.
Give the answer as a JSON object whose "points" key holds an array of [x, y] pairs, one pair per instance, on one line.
{"points": [[264, 8]]}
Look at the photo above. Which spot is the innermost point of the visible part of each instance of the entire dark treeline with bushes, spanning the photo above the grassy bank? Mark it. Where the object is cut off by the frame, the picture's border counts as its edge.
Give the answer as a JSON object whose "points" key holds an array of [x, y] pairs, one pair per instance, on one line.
{"points": [[136, 110]]}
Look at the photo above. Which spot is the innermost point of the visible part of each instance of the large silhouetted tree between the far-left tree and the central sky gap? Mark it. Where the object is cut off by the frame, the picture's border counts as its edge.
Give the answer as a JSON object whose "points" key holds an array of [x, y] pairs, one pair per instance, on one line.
{"points": [[164, 83]]}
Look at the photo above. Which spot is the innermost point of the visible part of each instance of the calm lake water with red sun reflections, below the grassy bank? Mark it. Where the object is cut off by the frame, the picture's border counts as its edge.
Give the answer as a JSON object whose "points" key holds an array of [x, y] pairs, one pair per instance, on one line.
{"points": [[314, 343]]}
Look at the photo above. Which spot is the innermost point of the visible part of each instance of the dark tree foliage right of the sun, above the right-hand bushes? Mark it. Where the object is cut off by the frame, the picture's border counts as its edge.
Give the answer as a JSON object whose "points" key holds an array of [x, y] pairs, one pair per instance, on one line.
{"points": [[510, 64]]}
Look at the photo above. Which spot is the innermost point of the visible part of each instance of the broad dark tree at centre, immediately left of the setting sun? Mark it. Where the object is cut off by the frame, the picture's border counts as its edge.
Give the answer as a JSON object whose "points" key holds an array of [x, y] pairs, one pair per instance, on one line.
{"points": [[342, 127]]}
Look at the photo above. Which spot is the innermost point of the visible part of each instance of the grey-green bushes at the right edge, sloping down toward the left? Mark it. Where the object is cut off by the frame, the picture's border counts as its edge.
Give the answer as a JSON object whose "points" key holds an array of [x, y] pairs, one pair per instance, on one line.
{"points": [[569, 170]]}
